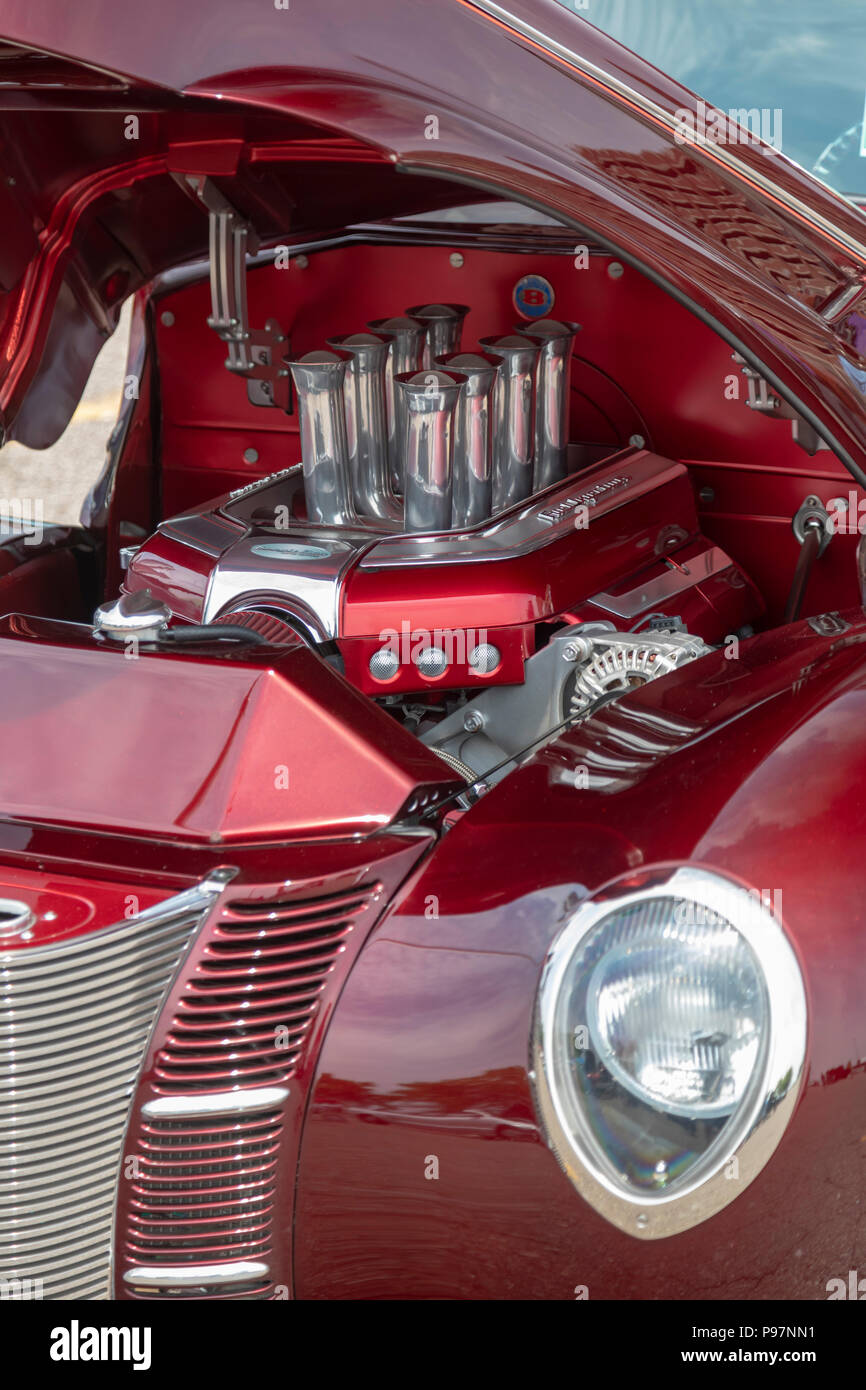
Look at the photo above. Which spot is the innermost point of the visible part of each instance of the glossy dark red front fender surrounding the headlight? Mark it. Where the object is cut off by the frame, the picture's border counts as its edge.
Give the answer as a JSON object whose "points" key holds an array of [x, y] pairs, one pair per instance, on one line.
{"points": [[750, 767]]}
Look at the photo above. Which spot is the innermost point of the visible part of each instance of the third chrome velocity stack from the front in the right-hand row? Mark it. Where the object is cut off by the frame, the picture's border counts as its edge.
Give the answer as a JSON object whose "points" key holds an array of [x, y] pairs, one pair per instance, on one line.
{"points": [[514, 416]]}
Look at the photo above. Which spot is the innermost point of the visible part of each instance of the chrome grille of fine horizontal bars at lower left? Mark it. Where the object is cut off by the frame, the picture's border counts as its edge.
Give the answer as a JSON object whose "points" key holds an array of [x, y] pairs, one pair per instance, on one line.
{"points": [[74, 1024]]}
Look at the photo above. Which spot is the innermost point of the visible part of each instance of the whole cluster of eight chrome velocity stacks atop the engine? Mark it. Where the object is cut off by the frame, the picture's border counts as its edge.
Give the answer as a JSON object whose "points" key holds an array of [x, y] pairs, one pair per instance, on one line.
{"points": [[404, 432]]}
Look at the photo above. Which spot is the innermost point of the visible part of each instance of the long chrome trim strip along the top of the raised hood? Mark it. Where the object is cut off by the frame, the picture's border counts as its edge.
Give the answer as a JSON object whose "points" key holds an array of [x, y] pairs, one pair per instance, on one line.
{"points": [[700, 142]]}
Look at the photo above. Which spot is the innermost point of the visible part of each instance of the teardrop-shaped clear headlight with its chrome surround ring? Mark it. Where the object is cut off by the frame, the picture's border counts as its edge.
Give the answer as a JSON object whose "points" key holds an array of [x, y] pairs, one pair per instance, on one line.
{"points": [[669, 1045]]}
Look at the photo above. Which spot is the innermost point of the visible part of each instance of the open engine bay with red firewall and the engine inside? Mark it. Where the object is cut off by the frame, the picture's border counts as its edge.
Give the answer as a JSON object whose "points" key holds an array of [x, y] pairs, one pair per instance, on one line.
{"points": [[466, 509]]}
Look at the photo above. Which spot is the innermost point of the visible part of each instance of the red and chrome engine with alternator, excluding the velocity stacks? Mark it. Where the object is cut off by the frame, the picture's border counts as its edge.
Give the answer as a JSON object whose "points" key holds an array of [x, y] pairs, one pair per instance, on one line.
{"points": [[450, 630]]}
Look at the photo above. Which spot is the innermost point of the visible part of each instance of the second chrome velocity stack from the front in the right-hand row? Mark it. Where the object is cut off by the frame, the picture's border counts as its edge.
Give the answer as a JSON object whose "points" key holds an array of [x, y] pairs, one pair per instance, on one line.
{"points": [[473, 447]]}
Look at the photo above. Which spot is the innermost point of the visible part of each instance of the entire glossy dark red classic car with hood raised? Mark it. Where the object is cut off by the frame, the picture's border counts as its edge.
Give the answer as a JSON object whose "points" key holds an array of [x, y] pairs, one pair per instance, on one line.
{"points": [[433, 775]]}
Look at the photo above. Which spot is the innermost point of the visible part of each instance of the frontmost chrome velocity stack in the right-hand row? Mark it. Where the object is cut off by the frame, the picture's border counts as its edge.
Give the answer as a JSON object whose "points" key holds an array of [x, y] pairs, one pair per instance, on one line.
{"points": [[430, 400]]}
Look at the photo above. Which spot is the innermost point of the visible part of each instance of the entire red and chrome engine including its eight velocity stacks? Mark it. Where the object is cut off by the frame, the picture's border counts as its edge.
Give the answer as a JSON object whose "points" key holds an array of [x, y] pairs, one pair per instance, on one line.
{"points": [[448, 548]]}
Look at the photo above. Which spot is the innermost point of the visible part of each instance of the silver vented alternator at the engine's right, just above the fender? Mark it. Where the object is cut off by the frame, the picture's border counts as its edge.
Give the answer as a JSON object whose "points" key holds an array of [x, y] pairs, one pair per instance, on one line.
{"points": [[626, 661]]}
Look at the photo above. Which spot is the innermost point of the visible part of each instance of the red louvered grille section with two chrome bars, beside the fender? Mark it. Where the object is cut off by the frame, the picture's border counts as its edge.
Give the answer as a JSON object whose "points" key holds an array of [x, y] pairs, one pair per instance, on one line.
{"points": [[238, 1031]]}
